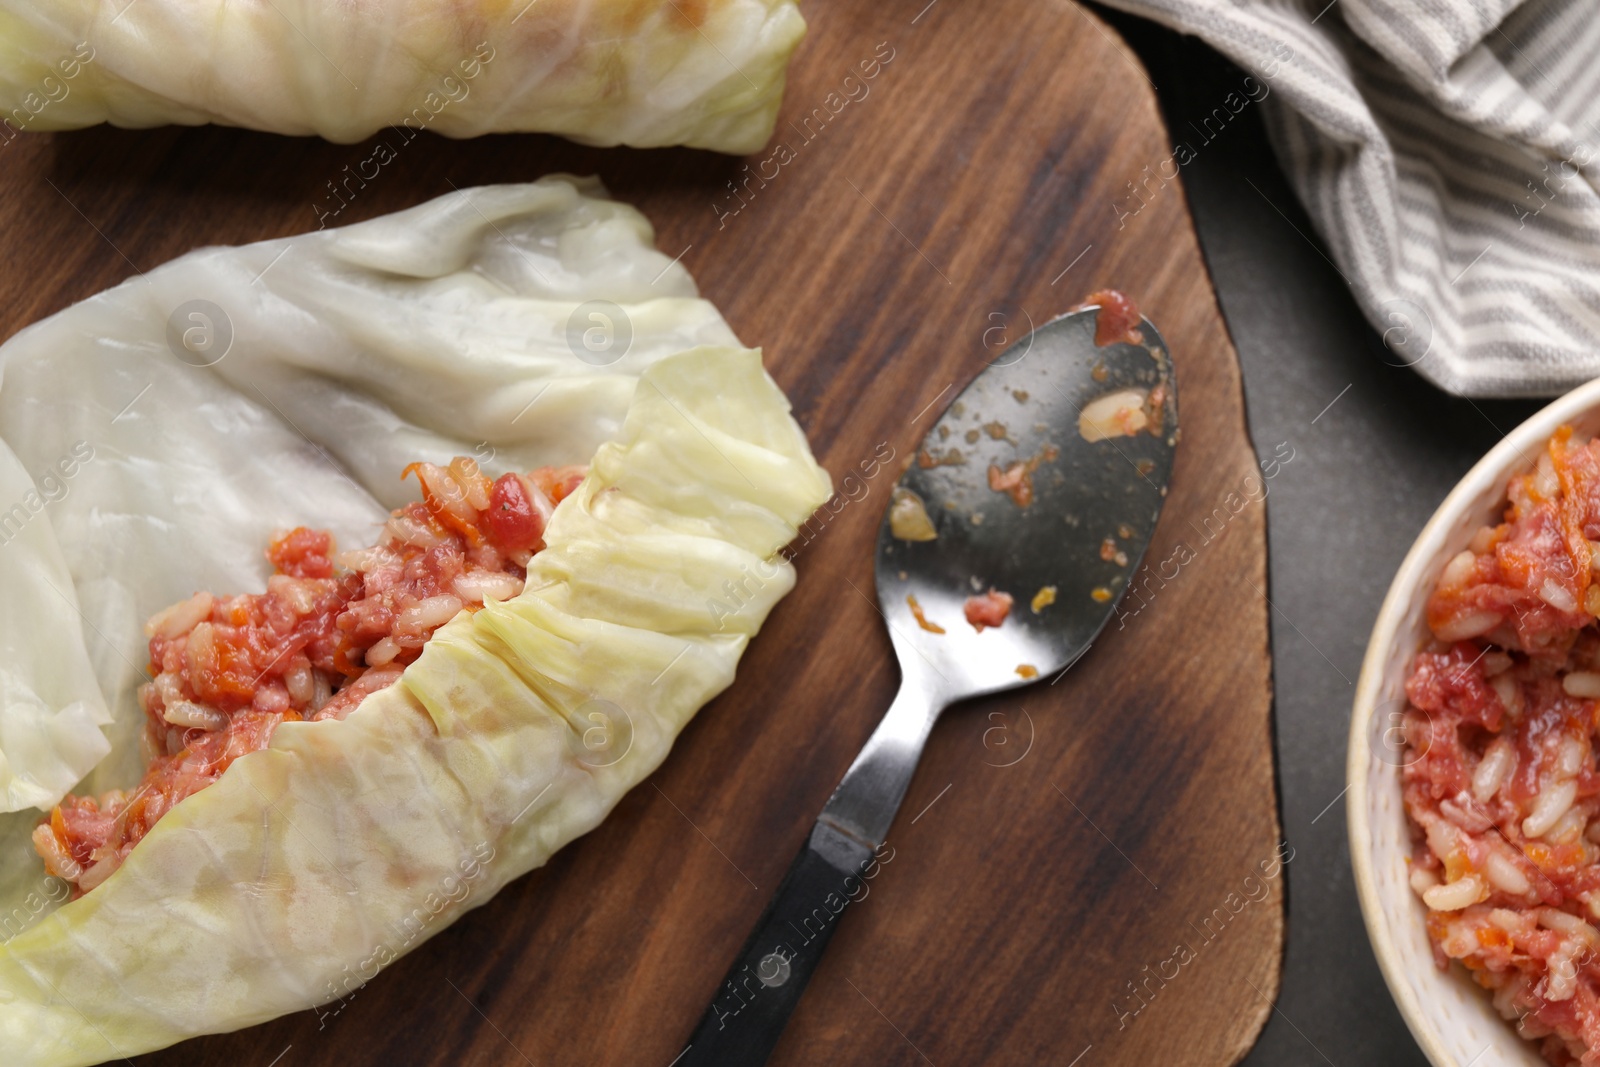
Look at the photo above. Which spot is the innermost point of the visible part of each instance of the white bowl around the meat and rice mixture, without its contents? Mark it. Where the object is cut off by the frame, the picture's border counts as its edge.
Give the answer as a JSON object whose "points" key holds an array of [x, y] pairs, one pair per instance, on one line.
{"points": [[1449, 1015]]}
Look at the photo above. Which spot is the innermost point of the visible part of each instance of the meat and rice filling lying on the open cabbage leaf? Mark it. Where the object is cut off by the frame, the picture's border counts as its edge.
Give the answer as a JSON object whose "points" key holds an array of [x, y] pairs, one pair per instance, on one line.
{"points": [[332, 629]]}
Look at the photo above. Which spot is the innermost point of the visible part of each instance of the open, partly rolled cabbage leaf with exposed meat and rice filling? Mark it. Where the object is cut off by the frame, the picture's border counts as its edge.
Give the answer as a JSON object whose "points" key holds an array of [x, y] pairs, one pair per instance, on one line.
{"points": [[271, 396]]}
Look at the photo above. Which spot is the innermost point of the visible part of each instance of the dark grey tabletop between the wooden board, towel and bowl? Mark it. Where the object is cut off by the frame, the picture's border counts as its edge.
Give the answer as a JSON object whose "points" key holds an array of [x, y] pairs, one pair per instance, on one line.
{"points": [[1366, 478]]}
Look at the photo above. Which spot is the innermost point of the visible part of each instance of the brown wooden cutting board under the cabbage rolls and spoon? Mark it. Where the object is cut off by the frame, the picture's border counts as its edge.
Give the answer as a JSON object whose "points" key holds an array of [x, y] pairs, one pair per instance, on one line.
{"points": [[1078, 871]]}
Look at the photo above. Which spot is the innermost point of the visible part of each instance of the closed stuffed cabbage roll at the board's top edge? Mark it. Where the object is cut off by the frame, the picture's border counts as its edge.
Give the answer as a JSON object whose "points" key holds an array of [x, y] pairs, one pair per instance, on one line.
{"points": [[642, 73]]}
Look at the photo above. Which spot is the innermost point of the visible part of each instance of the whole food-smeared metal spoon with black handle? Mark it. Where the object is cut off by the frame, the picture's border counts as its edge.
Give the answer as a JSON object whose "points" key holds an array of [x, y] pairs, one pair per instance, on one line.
{"points": [[1066, 557]]}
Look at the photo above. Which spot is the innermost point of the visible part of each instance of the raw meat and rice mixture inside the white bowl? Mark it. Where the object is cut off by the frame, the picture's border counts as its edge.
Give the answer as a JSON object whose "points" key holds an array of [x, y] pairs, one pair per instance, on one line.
{"points": [[1500, 767]]}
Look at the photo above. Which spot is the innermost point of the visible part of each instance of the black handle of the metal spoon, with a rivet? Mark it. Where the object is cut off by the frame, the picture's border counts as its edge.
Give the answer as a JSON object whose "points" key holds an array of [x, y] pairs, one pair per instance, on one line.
{"points": [[746, 1020]]}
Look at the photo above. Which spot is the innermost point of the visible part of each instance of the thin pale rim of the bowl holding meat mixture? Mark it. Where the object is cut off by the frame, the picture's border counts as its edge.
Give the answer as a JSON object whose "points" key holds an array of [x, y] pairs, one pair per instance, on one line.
{"points": [[1494, 470]]}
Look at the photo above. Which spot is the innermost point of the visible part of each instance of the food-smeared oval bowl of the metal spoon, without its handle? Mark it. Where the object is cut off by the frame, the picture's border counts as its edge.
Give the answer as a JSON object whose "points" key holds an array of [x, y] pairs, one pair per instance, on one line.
{"points": [[1070, 553]]}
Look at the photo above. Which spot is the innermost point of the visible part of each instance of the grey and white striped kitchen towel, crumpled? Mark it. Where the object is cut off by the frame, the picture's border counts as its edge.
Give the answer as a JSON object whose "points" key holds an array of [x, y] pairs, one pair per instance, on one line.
{"points": [[1449, 151]]}
